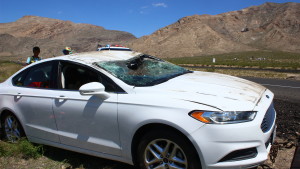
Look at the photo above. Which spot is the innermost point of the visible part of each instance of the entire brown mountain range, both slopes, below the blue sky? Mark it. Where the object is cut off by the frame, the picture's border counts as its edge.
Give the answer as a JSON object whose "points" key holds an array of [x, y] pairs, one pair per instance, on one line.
{"points": [[269, 27]]}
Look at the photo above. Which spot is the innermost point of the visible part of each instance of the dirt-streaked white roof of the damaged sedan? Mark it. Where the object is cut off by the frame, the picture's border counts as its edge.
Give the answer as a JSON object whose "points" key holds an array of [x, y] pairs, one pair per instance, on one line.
{"points": [[99, 56]]}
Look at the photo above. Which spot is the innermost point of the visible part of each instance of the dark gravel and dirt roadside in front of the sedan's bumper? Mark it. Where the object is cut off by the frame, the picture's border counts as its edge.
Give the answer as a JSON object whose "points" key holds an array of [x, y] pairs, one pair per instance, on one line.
{"points": [[288, 135]]}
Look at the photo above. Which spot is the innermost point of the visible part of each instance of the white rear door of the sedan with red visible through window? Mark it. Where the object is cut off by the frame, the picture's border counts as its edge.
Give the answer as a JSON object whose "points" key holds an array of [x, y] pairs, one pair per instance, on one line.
{"points": [[35, 91]]}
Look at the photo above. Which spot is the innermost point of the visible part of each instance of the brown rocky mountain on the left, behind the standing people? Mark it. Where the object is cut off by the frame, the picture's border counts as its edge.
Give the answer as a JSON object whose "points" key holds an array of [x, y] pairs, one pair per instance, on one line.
{"points": [[18, 38]]}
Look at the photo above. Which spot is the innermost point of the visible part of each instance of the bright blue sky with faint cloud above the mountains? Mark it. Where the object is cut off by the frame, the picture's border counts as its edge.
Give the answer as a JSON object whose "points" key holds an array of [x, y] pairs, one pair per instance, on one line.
{"points": [[139, 17]]}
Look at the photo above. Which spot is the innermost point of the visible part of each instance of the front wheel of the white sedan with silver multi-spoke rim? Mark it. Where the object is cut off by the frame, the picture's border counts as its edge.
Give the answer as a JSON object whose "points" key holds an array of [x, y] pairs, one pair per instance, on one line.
{"points": [[166, 149]]}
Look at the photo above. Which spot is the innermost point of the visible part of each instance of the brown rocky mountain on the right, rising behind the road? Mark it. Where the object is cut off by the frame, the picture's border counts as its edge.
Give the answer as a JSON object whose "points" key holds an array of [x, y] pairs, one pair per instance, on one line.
{"points": [[271, 26]]}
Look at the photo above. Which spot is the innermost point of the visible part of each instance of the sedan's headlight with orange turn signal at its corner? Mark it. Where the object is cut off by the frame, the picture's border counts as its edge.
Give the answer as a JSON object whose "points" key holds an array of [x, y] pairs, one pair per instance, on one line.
{"points": [[223, 117]]}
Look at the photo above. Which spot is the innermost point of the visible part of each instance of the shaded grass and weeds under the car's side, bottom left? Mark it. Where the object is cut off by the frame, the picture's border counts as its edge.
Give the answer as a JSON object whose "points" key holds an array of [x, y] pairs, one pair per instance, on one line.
{"points": [[15, 156]]}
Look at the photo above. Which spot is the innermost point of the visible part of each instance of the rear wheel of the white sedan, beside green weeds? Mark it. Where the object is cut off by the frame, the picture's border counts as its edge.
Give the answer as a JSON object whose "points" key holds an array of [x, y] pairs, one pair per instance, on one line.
{"points": [[11, 128]]}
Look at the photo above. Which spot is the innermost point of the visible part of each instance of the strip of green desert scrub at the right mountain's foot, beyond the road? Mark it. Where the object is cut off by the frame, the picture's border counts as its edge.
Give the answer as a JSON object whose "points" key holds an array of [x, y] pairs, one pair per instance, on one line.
{"points": [[260, 59]]}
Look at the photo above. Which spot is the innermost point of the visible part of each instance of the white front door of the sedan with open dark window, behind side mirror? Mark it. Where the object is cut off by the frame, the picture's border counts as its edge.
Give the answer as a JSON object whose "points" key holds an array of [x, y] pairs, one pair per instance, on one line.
{"points": [[86, 122]]}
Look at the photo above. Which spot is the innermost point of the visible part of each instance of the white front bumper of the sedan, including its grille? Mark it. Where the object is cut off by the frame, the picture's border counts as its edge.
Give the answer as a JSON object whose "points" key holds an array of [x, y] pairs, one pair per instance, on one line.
{"points": [[240, 145]]}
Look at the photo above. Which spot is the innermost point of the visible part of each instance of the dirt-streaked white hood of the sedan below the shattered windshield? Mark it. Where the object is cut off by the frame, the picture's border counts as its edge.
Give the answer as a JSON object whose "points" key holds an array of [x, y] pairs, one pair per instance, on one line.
{"points": [[216, 90]]}
